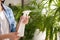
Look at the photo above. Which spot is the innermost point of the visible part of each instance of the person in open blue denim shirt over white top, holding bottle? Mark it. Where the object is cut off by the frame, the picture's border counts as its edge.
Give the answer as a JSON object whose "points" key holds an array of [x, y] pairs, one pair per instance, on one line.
{"points": [[8, 28]]}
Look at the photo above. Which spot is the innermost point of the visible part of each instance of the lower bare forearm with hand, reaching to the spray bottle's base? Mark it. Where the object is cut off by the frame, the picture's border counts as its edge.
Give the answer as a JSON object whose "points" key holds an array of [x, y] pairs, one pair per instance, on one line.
{"points": [[11, 36]]}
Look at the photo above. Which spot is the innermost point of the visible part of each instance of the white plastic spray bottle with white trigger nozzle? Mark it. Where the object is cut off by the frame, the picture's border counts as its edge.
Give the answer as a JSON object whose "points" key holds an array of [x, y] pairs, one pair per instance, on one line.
{"points": [[22, 25]]}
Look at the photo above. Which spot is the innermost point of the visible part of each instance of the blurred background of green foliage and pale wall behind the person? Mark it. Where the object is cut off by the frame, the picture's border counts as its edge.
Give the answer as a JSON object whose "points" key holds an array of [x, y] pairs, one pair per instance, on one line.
{"points": [[44, 23]]}
